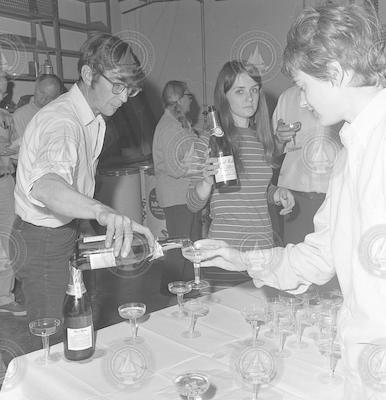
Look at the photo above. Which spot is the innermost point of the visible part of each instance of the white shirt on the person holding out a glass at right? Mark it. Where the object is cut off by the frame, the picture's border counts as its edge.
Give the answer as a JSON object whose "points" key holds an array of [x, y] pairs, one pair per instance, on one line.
{"points": [[349, 239]]}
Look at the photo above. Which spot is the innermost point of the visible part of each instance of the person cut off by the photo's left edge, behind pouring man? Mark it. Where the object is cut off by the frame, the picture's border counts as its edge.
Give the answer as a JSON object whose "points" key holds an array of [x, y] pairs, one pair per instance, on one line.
{"points": [[8, 305]]}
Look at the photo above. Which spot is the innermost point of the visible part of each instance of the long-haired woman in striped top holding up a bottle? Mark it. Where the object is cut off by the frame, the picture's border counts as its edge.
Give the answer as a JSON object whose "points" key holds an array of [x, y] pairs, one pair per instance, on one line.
{"points": [[240, 214]]}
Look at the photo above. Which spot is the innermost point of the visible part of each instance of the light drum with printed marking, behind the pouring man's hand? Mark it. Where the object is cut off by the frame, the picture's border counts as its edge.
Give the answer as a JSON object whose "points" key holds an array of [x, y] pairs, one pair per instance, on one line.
{"points": [[153, 215]]}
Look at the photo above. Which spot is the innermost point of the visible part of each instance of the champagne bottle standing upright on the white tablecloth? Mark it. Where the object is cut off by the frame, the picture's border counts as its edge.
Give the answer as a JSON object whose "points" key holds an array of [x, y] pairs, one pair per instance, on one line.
{"points": [[79, 336]]}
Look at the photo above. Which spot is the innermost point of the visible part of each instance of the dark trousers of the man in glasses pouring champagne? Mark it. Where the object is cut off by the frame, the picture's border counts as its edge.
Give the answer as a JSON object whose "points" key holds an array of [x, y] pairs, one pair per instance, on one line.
{"points": [[40, 258]]}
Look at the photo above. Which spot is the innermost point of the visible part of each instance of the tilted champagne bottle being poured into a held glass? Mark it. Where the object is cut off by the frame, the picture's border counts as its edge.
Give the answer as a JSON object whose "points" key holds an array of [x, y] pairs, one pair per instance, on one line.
{"points": [[92, 253]]}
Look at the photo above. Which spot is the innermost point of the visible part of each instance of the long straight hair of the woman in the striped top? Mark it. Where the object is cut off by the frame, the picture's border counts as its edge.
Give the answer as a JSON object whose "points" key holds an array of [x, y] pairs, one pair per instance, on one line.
{"points": [[260, 122]]}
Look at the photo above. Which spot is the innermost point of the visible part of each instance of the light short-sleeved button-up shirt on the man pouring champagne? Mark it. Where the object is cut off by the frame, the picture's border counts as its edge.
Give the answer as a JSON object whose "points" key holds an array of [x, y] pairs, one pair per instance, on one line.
{"points": [[64, 138]]}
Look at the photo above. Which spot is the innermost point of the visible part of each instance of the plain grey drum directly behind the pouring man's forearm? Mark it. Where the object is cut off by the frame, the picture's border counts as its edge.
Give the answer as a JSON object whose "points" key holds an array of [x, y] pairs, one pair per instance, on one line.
{"points": [[120, 188]]}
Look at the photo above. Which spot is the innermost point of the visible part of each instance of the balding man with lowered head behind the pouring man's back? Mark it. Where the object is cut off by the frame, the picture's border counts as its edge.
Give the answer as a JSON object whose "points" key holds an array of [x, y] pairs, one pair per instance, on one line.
{"points": [[47, 88]]}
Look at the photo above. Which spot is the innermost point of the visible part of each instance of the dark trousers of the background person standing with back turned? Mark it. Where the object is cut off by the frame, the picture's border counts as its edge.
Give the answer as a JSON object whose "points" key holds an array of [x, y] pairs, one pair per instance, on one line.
{"points": [[180, 222]]}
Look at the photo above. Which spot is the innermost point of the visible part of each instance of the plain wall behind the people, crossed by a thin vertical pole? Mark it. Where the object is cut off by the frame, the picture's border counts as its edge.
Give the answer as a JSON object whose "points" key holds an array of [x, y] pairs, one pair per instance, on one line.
{"points": [[233, 27]]}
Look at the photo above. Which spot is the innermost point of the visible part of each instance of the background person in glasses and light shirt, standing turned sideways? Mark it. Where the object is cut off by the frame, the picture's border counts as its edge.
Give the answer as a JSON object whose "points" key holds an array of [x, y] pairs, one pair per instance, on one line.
{"points": [[173, 143]]}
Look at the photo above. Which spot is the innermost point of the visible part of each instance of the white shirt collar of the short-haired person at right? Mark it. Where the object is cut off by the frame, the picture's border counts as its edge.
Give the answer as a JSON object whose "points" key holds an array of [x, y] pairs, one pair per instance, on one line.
{"points": [[358, 132]]}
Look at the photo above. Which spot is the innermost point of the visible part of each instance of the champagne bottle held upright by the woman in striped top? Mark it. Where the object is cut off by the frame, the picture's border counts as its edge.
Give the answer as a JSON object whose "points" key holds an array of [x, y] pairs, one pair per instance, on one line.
{"points": [[220, 148]]}
